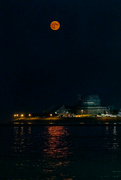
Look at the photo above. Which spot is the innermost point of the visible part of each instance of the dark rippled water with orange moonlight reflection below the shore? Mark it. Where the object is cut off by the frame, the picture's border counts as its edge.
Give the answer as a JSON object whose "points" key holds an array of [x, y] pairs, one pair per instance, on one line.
{"points": [[60, 152]]}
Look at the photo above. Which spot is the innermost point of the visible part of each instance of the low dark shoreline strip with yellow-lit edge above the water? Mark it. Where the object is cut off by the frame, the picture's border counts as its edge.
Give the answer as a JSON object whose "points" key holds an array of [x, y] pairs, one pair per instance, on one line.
{"points": [[61, 121]]}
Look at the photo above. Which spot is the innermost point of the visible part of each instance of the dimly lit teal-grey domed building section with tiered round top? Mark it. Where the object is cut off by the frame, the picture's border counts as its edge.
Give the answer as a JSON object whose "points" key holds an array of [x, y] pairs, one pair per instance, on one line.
{"points": [[90, 104]]}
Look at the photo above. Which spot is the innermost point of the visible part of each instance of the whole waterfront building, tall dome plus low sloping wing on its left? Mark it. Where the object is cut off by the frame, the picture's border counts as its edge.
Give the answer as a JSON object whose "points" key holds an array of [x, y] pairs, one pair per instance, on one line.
{"points": [[87, 105]]}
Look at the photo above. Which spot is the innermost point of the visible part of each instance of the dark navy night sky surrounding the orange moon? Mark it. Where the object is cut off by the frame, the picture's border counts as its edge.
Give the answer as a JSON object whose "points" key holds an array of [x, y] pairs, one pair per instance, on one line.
{"points": [[40, 67]]}
